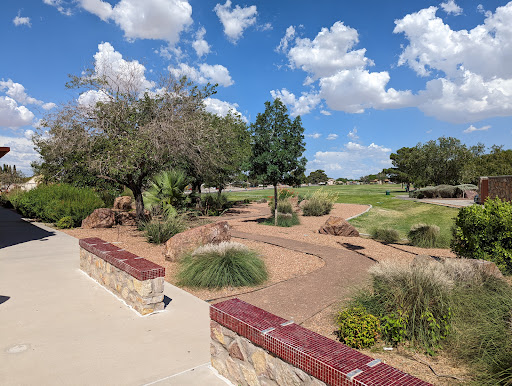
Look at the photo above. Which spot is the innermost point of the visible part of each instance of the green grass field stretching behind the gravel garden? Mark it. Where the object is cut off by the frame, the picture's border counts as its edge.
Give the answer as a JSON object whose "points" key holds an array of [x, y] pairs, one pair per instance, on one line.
{"points": [[387, 211]]}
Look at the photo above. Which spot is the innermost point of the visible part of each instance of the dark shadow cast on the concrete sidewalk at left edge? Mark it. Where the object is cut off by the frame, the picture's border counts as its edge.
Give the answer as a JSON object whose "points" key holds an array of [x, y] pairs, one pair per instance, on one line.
{"points": [[14, 230]]}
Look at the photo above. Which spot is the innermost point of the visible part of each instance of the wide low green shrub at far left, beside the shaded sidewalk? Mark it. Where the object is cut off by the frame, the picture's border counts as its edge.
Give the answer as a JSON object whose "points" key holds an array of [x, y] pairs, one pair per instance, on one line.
{"points": [[50, 203]]}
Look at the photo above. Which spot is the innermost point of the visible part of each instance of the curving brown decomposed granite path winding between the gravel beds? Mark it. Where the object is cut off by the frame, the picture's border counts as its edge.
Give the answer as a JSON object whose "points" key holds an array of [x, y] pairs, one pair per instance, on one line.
{"points": [[302, 297]]}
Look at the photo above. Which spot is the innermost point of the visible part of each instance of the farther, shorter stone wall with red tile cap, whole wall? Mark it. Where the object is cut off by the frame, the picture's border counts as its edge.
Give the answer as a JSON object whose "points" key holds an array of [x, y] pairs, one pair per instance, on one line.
{"points": [[139, 282]]}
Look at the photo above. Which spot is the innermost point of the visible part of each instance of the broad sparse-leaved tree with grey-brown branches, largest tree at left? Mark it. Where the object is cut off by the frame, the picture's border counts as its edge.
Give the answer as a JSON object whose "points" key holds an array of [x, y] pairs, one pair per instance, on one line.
{"points": [[130, 133]]}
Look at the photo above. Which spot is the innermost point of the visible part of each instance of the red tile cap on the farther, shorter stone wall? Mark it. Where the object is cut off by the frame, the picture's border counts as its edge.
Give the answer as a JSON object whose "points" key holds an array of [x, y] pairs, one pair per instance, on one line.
{"points": [[136, 266]]}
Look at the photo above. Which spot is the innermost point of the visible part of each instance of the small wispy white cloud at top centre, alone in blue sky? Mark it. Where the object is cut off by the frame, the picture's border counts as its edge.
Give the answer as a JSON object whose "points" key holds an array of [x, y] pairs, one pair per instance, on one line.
{"points": [[235, 20]]}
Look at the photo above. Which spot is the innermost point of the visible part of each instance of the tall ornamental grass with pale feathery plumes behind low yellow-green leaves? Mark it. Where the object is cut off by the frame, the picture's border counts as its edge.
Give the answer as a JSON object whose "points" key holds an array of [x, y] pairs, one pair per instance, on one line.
{"points": [[414, 302]]}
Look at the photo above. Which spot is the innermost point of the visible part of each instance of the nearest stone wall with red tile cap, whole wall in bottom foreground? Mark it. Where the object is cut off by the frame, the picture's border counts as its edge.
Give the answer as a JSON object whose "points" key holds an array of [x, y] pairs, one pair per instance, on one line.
{"points": [[253, 347]]}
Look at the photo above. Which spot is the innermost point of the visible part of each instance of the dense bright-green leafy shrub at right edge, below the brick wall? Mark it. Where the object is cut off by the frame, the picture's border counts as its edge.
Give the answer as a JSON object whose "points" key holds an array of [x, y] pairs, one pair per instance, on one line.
{"points": [[485, 232]]}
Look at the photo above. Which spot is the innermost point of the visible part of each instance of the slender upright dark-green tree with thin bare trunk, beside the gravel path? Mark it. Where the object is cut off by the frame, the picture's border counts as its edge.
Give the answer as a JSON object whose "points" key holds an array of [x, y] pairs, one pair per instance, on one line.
{"points": [[277, 146]]}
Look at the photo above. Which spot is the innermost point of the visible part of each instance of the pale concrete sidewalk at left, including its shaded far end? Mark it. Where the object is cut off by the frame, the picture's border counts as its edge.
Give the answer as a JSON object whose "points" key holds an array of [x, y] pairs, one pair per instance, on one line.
{"points": [[59, 327]]}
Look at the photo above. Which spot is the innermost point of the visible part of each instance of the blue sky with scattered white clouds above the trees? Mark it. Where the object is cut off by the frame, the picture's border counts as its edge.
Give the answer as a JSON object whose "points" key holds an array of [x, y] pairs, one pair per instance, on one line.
{"points": [[367, 77]]}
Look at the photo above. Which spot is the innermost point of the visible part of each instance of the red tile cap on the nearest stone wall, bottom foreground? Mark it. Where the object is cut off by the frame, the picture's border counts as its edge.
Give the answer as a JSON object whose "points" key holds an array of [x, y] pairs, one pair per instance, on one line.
{"points": [[332, 362]]}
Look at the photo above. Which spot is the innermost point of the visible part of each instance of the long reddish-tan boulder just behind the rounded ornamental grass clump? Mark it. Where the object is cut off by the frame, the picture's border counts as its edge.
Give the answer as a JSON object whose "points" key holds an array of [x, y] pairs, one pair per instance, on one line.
{"points": [[189, 240]]}
